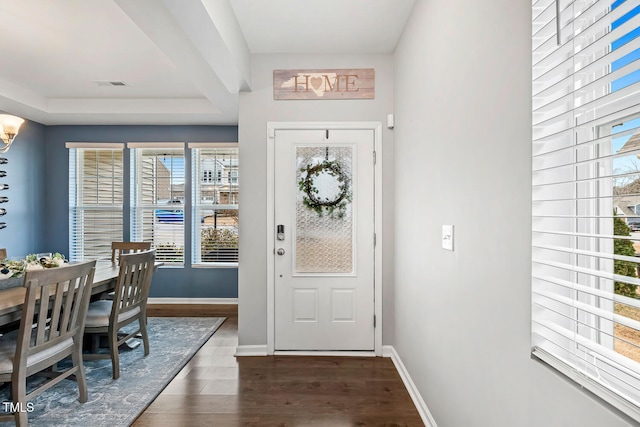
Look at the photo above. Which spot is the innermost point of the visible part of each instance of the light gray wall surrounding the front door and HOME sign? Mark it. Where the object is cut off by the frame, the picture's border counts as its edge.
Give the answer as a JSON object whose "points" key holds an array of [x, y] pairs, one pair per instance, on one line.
{"points": [[256, 109]]}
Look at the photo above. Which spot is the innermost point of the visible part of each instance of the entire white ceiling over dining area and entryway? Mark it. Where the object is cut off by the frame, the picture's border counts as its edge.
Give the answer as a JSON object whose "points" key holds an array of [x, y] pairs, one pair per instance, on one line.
{"points": [[182, 61]]}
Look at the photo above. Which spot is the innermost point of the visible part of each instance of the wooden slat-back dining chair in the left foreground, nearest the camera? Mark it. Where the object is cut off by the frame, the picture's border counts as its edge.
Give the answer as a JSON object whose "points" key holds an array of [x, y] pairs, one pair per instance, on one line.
{"points": [[51, 329]]}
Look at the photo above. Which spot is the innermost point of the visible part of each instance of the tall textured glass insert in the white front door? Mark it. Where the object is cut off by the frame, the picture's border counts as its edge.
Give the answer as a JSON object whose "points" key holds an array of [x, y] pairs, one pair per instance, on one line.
{"points": [[324, 210]]}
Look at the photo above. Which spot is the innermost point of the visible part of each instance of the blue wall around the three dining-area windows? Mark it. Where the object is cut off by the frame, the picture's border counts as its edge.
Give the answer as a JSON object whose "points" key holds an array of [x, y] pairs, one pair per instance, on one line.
{"points": [[184, 282]]}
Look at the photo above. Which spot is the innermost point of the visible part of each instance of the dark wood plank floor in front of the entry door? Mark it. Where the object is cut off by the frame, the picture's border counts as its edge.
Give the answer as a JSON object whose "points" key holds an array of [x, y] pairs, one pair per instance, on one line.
{"points": [[217, 389]]}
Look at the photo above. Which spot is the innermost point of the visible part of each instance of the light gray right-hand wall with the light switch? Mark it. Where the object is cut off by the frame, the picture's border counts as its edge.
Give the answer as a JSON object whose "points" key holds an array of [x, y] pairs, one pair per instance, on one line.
{"points": [[463, 157]]}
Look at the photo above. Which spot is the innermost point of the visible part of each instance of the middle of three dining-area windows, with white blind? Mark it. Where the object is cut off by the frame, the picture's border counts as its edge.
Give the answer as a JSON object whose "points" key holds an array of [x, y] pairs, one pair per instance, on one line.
{"points": [[158, 197]]}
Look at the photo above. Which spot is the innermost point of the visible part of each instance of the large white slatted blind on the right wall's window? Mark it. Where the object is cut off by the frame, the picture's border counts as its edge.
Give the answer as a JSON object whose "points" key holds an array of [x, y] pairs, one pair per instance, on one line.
{"points": [[586, 179]]}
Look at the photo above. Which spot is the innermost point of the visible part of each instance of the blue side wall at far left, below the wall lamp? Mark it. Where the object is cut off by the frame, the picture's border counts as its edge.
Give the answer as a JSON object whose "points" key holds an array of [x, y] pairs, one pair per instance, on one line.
{"points": [[27, 217]]}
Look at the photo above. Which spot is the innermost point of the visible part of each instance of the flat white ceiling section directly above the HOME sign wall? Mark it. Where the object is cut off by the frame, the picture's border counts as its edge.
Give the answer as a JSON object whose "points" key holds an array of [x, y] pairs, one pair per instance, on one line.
{"points": [[322, 26]]}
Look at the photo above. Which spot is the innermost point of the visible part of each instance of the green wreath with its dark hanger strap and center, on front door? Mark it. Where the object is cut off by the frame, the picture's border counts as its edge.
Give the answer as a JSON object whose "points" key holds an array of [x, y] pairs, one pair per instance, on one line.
{"points": [[325, 186]]}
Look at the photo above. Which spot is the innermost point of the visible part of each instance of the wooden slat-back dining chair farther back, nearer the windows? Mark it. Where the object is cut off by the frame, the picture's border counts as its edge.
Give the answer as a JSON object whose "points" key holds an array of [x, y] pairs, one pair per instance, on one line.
{"points": [[129, 304]]}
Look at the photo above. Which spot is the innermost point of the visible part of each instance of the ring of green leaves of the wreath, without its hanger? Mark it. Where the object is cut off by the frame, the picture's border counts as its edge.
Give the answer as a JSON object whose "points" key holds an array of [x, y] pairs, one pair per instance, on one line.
{"points": [[335, 207]]}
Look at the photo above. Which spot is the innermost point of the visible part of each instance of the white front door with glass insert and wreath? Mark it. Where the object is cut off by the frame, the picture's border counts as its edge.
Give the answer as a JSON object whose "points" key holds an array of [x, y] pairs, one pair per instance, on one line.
{"points": [[324, 223]]}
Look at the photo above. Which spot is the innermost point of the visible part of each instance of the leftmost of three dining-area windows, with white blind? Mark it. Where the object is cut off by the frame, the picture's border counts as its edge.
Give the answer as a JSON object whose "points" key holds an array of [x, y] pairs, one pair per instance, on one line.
{"points": [[95, 199]]}
